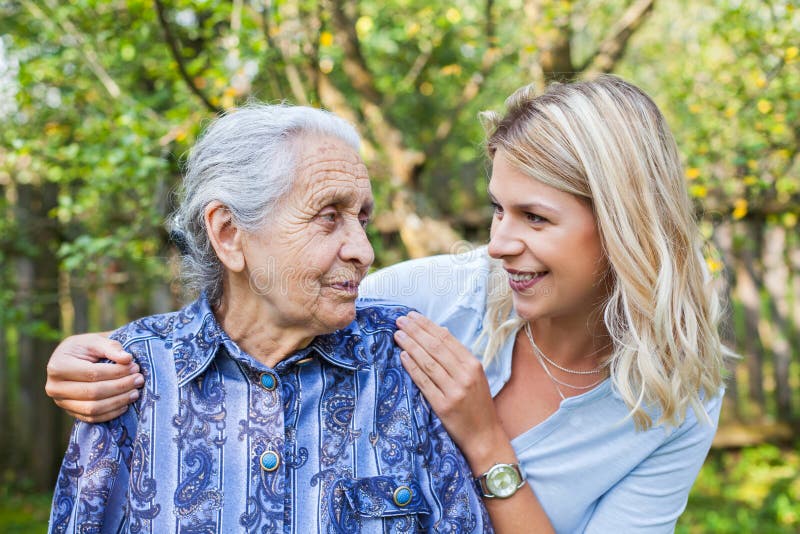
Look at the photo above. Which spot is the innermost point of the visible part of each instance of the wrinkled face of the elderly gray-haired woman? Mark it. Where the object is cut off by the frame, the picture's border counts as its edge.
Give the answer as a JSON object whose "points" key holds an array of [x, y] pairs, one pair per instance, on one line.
{"points": [[307, 262]]}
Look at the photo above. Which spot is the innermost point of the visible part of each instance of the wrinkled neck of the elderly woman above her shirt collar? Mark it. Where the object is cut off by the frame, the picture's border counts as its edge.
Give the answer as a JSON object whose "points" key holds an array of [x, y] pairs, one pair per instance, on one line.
{"points": [[255, 328]]}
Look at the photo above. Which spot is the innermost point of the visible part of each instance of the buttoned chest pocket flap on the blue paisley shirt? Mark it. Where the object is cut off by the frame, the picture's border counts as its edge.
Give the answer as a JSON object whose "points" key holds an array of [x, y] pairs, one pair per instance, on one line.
{"points": [[388, 499]]}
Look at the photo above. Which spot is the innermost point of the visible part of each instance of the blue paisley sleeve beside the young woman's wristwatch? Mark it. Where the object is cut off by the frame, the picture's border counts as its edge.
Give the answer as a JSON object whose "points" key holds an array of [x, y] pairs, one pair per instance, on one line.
{"points": [[456, 505]]}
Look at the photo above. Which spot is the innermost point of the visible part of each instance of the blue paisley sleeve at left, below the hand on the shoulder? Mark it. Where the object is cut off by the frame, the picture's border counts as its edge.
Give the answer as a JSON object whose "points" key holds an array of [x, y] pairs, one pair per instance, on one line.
{"points": [[90, 494]]}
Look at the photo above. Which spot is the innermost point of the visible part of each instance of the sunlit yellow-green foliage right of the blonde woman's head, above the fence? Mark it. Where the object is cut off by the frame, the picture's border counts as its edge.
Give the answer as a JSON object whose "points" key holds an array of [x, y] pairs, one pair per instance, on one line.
{"points": [[734, 106]]}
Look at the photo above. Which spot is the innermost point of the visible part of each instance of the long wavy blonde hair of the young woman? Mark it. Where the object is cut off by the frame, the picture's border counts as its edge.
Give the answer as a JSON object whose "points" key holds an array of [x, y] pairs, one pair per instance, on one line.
{"points": [[605, 140]]}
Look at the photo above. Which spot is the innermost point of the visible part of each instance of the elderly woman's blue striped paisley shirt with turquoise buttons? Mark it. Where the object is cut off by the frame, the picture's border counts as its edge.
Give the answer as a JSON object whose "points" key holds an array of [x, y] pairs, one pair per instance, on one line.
{"points": [[335, 438]]}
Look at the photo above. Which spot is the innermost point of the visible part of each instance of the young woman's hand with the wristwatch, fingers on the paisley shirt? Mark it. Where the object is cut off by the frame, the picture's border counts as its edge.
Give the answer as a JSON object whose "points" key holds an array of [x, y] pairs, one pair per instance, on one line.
{"points": [[453, 382]]}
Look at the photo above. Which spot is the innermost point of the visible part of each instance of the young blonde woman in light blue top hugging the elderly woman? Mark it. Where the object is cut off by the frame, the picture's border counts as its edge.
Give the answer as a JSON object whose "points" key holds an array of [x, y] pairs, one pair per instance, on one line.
{"points": [[597, 386]]}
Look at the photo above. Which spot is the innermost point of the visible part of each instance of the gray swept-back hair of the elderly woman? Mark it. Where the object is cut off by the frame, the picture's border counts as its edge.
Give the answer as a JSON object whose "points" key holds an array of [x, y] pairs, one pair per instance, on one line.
{"points": [[246, 159]]}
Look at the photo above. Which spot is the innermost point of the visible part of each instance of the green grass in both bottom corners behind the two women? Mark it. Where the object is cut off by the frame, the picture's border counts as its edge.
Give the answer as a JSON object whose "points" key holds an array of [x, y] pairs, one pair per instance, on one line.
{"points": [[756, 489]]}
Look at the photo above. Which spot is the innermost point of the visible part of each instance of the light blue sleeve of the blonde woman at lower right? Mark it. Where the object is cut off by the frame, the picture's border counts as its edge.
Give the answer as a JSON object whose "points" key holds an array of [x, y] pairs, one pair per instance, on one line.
{"points": [[652, 496]]}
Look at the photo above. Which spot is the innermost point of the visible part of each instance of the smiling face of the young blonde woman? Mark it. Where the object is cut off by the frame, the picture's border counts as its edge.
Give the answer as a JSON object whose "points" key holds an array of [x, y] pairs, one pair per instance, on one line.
{"points": [[549, 245]]}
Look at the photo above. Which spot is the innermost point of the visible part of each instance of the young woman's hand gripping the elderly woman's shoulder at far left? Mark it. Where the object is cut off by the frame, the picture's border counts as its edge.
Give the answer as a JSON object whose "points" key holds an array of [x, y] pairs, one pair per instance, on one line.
{"points": [[86, 389]]}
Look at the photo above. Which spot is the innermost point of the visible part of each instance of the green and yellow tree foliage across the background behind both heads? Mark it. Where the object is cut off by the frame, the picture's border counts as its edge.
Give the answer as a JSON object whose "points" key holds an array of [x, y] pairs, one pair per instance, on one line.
{"points": [[104, 112]]}
